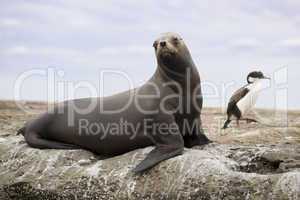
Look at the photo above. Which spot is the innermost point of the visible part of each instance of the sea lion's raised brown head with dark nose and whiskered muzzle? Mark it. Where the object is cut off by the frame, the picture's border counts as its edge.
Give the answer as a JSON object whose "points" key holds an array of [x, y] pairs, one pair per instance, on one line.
{"points": [[171, 51]]}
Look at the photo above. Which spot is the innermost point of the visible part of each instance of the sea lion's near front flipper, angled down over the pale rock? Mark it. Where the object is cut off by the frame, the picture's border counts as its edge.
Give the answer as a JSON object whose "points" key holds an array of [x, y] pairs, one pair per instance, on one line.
{"points": [[168, 143]]}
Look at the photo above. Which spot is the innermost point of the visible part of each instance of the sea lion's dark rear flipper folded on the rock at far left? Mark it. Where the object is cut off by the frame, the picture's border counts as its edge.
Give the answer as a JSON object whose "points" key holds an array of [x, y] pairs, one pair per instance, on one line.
{"points": [[34, 140]]}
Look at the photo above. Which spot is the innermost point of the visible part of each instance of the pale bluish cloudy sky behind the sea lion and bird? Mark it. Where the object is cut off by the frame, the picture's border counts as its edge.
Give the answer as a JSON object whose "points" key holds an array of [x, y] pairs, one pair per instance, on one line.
{"points": [[76, 40]]}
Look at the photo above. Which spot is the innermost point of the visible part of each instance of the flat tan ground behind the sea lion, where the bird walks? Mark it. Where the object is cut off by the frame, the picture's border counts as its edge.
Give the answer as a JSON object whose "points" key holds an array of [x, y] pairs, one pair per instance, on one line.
{"points": [[274, 127]]}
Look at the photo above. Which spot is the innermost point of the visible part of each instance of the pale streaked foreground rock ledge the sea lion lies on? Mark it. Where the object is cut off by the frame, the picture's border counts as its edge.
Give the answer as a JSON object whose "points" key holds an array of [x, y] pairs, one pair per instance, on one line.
{"points": [[215, 171]]}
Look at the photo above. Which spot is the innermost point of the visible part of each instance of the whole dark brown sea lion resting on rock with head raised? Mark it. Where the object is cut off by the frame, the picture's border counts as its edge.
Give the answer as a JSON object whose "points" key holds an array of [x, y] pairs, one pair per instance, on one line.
{"points": [[164, 112]]}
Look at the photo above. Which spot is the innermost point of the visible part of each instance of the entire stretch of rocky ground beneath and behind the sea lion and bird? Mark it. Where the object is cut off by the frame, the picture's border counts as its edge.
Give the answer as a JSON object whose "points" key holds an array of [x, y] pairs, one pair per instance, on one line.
{"points": [[252, 161]]}
